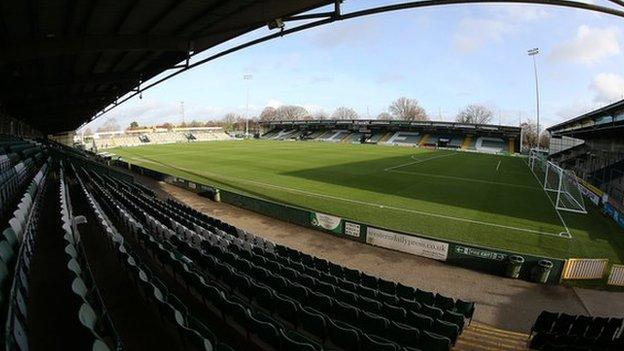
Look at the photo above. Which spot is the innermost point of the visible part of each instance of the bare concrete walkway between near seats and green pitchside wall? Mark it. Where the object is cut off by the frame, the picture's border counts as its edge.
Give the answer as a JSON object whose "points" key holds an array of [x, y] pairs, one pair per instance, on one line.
{"points": [[511, 305]]}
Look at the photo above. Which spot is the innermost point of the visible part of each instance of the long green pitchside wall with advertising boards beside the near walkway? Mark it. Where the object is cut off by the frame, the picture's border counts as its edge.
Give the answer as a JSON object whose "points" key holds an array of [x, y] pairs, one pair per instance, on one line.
{"points": [[489, 260]]}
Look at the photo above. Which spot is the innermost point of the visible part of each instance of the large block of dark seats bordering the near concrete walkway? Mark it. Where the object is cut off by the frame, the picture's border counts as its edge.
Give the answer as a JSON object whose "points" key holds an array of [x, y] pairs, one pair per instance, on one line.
{"points": [[278, 296]]}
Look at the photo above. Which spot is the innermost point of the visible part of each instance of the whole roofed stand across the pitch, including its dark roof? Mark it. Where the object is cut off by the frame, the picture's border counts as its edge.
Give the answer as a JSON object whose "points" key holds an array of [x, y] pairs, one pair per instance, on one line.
{"points": [[460, 136]]}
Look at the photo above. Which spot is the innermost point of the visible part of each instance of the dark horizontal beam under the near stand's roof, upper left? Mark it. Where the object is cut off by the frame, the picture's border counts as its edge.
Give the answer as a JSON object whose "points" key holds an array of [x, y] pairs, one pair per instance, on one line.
{"points": [[86, 44]]}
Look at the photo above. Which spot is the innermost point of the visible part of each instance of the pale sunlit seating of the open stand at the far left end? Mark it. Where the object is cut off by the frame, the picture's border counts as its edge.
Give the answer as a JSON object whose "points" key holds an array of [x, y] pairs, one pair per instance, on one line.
{"points": [[127, 140]]}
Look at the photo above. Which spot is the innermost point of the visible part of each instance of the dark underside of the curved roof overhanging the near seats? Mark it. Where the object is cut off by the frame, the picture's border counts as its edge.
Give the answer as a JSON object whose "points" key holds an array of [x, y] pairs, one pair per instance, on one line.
{"points": [[63, 61]]}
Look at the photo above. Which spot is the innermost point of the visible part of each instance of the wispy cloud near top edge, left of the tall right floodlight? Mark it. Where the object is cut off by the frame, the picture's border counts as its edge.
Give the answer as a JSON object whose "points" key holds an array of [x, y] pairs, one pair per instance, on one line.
{"points": [[474, 33]]}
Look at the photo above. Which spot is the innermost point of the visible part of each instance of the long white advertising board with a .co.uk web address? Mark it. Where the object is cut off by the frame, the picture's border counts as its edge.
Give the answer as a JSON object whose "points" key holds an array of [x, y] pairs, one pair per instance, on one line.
{"points": [[407, 243]]}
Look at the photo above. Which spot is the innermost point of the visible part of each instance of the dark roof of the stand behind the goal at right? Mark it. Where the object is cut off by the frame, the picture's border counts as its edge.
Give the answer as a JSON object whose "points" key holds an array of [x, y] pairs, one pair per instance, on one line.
{"points": [[601, 121]]}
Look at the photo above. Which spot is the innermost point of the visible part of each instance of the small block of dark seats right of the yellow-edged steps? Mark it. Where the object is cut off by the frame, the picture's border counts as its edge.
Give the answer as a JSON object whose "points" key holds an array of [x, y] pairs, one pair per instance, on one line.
{"points": [[555, 331]]}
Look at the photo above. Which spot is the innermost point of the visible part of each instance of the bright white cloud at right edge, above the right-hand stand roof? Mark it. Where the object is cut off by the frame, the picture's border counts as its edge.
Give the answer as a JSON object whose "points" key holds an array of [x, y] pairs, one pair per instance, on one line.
{"points": [[589, 46]]}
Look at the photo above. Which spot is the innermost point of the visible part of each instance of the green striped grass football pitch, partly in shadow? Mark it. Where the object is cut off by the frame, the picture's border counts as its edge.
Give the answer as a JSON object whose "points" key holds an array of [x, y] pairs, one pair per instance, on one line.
{"points": [[488, 200]]}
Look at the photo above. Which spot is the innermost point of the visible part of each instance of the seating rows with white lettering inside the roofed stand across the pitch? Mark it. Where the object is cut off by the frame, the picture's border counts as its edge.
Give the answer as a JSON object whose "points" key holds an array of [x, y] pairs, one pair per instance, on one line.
{"points": [[405, 138]]}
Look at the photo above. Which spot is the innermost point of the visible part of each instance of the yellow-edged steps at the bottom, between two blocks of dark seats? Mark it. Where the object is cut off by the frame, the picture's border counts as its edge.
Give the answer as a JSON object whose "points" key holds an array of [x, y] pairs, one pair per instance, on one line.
{"points": [[482, 337]]}
